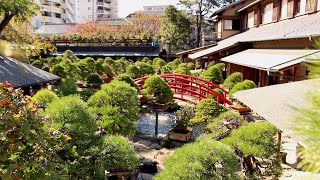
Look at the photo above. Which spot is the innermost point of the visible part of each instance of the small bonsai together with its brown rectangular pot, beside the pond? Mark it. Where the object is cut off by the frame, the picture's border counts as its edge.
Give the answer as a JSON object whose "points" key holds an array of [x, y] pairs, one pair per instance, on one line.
{"points": [[181, 131]]}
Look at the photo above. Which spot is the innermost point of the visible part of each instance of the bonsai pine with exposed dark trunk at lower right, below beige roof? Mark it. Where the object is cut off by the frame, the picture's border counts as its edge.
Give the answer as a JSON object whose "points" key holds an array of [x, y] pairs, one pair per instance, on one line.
{"points": [[252, 141]]}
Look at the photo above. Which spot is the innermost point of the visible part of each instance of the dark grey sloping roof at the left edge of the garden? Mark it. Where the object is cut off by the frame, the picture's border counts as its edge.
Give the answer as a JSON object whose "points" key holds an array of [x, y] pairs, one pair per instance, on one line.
{"points": [[20, 74]]}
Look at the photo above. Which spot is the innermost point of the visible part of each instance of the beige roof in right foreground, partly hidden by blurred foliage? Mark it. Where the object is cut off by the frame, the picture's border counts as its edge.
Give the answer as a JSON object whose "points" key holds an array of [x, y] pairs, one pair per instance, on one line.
{"points": [[276, 104]]}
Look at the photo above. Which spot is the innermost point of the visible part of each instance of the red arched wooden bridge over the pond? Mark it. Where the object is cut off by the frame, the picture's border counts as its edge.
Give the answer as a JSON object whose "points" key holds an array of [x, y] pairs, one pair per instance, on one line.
{"points": [[189, 88]]}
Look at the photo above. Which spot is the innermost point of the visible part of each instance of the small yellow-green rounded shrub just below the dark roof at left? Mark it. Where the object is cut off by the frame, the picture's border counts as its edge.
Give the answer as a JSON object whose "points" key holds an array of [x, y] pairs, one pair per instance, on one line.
{"points": [[44, 97]]}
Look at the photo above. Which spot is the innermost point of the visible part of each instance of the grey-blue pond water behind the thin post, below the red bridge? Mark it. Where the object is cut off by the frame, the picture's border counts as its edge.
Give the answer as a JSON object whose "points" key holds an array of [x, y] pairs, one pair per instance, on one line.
{"points": [[146, 123]]}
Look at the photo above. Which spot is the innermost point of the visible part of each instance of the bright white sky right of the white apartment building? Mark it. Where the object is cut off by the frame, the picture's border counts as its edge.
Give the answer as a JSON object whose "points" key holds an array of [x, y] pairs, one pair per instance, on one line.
{"points": [[128, 6]]}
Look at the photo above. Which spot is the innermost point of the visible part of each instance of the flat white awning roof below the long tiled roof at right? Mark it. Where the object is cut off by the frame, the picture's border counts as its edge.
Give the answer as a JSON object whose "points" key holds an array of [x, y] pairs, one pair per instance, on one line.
{"points": [[270, 59]]}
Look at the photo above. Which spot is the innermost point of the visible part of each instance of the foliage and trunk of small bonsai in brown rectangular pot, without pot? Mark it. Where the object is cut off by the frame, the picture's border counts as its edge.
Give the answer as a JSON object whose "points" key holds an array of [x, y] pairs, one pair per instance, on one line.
{"points": [[184, 115]]}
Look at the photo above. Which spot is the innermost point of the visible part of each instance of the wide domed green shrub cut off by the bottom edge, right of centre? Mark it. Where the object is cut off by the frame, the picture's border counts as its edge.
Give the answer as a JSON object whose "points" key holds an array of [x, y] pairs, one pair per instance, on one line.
{"points": [[204, 159]]}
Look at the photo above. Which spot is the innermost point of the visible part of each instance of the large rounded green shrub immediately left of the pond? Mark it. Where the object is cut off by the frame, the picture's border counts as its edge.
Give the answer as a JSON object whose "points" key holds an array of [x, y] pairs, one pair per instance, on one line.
{"points": [[117, 106]]}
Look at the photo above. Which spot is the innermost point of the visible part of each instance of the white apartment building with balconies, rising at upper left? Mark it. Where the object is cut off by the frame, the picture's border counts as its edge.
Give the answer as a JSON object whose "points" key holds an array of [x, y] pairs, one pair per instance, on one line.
{"points": [[77, 11]]}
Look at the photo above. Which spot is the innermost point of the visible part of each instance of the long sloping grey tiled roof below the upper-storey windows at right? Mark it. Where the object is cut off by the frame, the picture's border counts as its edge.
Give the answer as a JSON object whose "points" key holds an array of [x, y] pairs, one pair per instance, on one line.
{"points": [[299, 27]]}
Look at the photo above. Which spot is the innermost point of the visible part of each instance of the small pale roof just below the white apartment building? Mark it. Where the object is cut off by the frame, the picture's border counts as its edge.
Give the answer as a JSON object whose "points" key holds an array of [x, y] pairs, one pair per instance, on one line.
{"points": [[54, 29]]}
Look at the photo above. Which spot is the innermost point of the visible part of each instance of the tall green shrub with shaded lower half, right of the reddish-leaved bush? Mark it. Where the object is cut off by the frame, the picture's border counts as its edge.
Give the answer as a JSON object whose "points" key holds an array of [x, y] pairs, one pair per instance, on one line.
{"points": [[70, 116]]}
